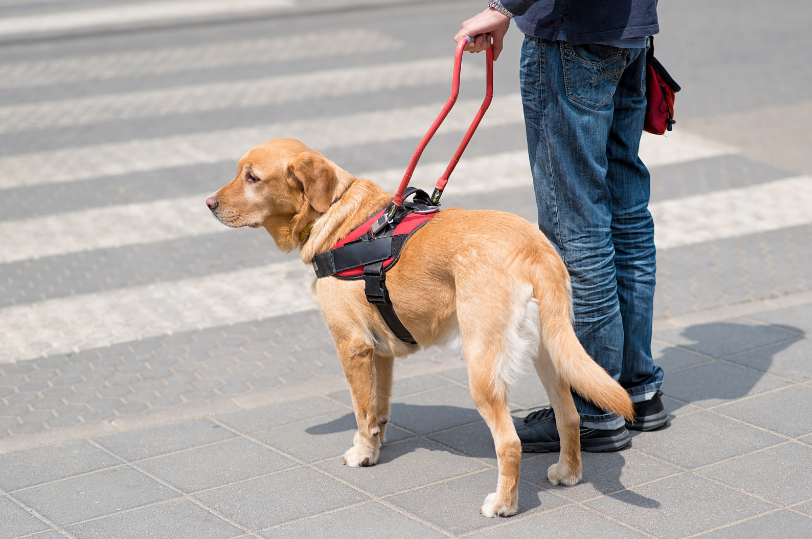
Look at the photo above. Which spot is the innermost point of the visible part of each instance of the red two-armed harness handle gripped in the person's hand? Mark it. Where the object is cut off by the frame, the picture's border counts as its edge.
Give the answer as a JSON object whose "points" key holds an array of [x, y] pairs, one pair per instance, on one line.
{"points": [[455, 91]]}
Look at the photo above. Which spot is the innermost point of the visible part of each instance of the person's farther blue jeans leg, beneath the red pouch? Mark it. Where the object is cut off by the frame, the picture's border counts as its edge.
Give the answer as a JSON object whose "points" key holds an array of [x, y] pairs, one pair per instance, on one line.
{"points": [[633, 231]]}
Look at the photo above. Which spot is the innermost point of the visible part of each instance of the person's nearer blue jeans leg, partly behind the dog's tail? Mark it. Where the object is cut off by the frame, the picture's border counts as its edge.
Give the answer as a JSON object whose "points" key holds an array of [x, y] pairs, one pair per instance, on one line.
{"points": [[567, 94]]}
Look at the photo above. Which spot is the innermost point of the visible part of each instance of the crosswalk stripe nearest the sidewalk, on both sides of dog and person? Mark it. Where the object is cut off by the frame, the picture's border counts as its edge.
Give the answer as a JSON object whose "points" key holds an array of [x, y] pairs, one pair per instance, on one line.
{"points": [[94, 320]]}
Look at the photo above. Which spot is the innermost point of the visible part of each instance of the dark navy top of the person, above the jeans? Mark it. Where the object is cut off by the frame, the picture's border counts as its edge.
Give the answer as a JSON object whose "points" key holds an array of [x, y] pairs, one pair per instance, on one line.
{"points": [[585, 21]]}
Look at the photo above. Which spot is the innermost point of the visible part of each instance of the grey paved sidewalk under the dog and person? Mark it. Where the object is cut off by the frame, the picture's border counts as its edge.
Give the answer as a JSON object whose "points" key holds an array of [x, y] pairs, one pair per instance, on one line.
{"points": [[735, 458]]}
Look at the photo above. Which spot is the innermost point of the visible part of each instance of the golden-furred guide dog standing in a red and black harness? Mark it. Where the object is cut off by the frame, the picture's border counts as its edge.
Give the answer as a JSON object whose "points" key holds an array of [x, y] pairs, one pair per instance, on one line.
{"points": [[486, 278]]}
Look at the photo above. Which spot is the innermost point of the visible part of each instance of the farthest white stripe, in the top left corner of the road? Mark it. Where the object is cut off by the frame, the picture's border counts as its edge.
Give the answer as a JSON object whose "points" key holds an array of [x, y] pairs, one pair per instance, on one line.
{"points": [[124, 14]]}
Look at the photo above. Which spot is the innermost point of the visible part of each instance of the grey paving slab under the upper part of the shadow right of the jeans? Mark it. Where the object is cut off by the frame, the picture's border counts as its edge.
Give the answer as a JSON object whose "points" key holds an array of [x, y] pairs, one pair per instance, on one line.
{"points": [[722, 339]]}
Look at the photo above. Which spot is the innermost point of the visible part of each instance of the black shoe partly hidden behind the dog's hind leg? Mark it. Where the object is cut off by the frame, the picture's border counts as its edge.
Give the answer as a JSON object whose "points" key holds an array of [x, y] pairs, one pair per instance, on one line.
{"points": [[539, 434]]}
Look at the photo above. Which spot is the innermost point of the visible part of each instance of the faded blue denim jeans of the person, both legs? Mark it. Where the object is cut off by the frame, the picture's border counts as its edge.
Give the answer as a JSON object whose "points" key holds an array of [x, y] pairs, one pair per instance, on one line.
{"points": [[584, 108]]}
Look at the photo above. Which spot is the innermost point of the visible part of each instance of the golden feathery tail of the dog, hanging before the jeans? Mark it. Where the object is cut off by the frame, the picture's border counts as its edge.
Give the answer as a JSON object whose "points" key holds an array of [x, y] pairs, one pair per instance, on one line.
{"points": [[570, 359]]}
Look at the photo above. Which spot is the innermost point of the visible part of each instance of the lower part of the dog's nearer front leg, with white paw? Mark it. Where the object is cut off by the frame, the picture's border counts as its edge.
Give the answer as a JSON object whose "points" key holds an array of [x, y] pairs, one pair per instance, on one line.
{"points": [[360, 371]]}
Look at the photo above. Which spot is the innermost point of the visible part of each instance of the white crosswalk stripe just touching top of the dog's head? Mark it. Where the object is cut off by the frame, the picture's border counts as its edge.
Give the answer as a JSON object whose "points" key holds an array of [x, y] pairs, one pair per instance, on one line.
{"points": [[214, 146]]}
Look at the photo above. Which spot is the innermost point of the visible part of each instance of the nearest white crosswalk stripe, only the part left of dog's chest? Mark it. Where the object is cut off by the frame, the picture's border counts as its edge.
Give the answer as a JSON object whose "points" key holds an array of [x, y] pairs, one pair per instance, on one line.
{"points": [[95, 320]]}
